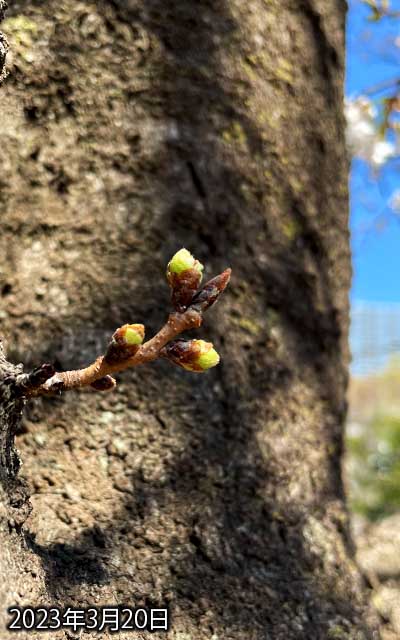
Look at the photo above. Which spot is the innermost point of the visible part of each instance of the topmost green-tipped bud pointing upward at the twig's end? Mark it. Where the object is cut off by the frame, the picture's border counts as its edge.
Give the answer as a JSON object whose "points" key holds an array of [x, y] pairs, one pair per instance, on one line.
{"points": [[184, 274]]}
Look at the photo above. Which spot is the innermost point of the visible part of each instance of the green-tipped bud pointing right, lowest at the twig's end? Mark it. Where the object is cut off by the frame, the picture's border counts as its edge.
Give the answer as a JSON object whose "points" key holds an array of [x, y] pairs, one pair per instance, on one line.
{"points": [[192, 355]]}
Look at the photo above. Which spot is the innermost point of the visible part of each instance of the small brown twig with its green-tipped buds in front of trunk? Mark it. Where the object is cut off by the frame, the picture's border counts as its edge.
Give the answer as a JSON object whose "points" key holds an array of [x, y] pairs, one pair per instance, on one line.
{"points": [[124, 351]]}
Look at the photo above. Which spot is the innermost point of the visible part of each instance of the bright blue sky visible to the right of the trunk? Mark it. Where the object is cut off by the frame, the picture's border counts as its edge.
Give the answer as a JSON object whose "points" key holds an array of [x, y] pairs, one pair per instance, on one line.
{"points": [[371, 59]]}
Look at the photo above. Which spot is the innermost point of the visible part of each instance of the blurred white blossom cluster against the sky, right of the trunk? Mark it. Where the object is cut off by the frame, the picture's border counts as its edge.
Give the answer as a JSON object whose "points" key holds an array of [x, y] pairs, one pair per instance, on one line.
{"points": [[362, 134]]}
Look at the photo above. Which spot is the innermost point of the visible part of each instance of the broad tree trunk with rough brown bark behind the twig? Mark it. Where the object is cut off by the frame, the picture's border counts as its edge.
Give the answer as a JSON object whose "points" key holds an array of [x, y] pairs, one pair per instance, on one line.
{"points": [[130, 129]]}
